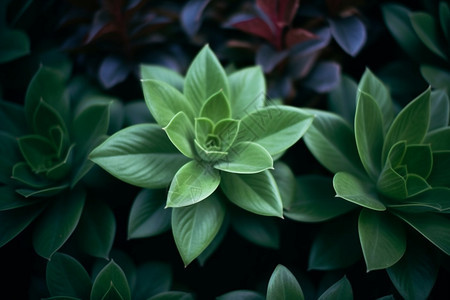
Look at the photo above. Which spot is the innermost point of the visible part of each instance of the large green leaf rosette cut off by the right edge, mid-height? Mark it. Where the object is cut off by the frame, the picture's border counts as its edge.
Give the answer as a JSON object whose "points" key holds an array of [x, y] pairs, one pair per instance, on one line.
{"points": [[393, 167]]}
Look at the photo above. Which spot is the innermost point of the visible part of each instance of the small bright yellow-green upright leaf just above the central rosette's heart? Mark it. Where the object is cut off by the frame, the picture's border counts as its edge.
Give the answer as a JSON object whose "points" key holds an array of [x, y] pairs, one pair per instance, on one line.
{"points": [[216, 108]]}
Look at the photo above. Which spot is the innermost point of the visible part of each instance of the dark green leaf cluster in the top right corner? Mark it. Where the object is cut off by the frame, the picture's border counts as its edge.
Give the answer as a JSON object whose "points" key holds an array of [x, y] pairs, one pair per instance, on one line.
{"points": [[425, 37]]}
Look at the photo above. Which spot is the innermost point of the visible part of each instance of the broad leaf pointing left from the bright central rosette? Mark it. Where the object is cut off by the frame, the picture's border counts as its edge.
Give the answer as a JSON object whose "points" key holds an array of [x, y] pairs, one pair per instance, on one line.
{"points": [[141, 155]]}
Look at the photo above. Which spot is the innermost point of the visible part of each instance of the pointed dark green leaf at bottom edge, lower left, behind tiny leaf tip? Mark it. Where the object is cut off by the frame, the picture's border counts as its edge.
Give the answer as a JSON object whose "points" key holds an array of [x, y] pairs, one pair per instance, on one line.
{"points": [[110, 275]]}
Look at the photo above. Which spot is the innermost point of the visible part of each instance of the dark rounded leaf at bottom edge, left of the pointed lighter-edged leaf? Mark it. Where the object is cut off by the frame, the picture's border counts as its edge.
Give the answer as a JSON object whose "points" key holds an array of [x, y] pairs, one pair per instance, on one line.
{"points": [[65, 276]]}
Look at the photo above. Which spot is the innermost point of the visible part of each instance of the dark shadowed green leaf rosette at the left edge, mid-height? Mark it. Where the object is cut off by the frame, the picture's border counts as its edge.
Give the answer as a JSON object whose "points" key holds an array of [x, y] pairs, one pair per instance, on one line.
{"points": [[44, 152]]}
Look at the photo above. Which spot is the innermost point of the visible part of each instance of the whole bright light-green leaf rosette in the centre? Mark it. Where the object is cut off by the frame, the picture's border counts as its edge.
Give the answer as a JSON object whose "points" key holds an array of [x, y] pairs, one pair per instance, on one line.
{"points": [[217, 132]]}
